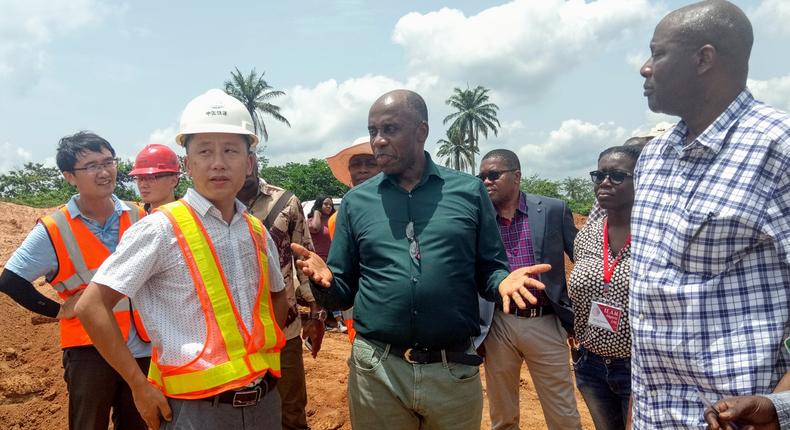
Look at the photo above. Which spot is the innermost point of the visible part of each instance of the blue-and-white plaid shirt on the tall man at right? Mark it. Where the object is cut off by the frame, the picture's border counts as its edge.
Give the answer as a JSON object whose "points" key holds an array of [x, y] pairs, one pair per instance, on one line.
{"points": [[710, 270]]}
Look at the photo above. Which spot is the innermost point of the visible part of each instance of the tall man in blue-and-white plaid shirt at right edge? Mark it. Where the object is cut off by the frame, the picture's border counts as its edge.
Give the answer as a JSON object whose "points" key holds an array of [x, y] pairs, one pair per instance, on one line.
{"points": [[710, 269]]}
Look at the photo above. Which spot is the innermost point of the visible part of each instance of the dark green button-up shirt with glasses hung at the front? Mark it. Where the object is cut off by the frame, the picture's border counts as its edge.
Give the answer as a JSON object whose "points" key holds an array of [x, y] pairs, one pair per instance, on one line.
{"points": [[399, 299]]}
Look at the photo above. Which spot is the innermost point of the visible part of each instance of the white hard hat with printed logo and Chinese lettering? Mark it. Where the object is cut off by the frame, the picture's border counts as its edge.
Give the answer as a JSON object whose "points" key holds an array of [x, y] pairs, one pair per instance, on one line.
{"points": [[216, 112]]}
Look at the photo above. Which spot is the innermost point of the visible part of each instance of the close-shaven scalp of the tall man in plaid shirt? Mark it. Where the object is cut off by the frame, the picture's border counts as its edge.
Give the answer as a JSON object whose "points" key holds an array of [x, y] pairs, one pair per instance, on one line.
{"points": [[720, 24]]}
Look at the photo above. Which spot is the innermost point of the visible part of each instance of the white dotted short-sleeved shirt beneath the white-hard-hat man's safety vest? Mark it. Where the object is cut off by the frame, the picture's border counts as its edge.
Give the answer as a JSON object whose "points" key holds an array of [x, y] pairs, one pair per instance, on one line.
{"points": [[148, 266]]}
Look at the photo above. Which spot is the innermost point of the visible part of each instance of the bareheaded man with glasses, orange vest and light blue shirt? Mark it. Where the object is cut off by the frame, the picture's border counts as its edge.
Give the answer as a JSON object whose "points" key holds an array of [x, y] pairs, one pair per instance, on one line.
{"points": [[68, 247]]}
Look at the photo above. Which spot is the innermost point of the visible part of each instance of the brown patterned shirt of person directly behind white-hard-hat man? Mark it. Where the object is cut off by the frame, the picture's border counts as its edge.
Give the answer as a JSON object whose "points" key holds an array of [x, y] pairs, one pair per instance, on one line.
{"points": [[288, 227]]}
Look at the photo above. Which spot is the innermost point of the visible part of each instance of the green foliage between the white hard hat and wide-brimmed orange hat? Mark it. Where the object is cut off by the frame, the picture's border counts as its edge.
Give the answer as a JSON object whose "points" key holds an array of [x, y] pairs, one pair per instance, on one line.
{"points": [[306, 181]]}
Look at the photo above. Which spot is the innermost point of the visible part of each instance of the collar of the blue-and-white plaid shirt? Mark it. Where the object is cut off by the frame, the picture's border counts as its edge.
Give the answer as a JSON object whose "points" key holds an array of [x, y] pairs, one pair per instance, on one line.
{"points": [[715, 135]]}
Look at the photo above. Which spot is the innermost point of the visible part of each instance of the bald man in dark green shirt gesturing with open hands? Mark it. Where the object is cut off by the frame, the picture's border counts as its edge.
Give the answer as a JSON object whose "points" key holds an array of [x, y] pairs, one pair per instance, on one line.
{"points": [[412, 250]]}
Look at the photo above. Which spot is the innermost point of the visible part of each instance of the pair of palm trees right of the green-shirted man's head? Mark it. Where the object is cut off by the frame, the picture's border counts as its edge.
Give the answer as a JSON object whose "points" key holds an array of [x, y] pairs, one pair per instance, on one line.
{"points": [[474, 116]]}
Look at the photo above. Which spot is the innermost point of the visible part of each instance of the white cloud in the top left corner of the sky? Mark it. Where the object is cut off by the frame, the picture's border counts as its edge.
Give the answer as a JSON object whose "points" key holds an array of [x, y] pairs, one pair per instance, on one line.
{"points": [[28, 27]]}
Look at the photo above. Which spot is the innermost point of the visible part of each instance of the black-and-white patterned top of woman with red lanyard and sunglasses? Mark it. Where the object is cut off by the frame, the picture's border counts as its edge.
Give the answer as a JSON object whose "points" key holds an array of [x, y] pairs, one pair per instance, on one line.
{"points": [[586, 284]]}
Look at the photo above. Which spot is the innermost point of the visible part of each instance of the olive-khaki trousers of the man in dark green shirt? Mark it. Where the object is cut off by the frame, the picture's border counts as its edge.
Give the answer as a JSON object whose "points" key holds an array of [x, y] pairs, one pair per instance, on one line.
{"points": [[386, 392]]}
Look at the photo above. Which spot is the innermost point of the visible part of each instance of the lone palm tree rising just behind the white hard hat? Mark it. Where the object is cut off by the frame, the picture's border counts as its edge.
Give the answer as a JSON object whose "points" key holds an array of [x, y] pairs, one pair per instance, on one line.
{"points": [[255, 93]]}
